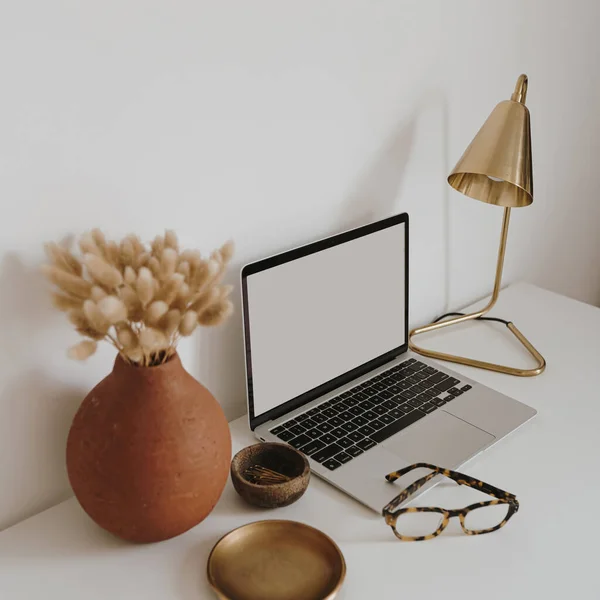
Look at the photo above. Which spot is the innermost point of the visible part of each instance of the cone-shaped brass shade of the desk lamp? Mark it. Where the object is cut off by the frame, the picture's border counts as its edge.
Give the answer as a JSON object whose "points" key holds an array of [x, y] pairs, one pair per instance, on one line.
{"points": [[496, 167]]}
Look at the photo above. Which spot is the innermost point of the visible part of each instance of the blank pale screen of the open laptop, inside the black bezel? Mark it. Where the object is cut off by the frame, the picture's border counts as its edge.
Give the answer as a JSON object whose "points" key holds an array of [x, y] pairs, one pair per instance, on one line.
{"points": [[317, 317]]}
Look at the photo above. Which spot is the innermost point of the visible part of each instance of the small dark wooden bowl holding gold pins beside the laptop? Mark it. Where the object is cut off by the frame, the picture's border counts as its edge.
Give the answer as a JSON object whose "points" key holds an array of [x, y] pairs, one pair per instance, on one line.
{"points": [[278, 457]]}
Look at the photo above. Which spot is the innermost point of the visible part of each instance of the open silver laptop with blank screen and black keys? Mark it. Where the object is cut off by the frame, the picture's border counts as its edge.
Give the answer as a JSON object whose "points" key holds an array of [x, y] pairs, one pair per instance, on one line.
{"points": [[329, 371]]}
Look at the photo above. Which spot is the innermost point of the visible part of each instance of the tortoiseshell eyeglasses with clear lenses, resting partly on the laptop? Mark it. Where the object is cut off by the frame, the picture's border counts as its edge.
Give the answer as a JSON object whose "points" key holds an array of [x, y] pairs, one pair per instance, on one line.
{"points": [[414, 523]]}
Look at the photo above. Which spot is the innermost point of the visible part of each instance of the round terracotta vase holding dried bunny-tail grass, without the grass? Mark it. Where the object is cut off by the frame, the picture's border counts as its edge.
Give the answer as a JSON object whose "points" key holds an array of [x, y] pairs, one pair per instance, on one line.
{"points": [[148, 452]]}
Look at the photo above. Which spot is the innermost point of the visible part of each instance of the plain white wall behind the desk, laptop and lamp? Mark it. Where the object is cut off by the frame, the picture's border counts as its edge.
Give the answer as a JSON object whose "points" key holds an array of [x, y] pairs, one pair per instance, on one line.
{"points": [[273, 123]]}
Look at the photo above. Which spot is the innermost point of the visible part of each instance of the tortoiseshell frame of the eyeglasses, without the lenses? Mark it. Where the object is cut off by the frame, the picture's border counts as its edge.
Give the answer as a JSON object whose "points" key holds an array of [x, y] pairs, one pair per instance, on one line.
{"points": [[391, 516]]}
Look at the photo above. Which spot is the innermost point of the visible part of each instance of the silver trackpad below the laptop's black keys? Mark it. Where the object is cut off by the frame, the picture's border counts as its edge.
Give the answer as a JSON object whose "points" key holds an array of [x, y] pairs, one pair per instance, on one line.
{"points": [[440, 439]]}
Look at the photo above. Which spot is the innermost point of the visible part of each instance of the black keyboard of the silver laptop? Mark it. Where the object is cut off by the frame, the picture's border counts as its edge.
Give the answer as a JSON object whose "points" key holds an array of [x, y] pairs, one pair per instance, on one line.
{"points": [[335, 432]]}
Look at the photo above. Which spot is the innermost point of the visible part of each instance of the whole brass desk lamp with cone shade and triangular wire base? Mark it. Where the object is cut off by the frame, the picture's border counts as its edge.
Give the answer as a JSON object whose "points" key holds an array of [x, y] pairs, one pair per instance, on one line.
{"points": [[496, 168]]}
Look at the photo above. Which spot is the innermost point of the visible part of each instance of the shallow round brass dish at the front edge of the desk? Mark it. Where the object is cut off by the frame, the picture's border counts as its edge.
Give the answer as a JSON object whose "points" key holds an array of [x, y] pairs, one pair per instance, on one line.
{"points": [[276, 560]]}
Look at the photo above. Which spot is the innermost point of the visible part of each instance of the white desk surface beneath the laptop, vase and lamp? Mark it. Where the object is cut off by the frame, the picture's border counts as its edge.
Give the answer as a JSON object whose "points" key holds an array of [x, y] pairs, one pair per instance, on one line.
{"points": [[548, 550]]}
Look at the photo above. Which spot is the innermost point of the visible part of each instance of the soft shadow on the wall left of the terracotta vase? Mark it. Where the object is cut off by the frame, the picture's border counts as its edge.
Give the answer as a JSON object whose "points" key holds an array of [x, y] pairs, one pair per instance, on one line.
{"points": [[37, 408]]}
